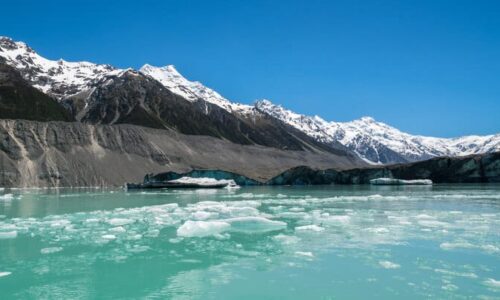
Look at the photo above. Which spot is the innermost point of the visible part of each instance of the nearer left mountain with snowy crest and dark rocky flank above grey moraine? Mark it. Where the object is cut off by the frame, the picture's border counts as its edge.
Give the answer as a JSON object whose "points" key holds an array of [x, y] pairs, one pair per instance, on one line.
{"points": [[154, 97]]}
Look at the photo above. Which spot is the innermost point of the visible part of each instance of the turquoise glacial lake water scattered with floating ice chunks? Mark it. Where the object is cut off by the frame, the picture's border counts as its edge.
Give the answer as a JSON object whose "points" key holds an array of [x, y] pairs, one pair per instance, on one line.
{"points": [[336, 242]]}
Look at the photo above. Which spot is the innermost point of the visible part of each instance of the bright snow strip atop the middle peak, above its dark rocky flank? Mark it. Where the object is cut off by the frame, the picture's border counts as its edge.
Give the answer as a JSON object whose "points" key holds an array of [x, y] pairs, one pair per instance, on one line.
{"points": [[169, 77]]}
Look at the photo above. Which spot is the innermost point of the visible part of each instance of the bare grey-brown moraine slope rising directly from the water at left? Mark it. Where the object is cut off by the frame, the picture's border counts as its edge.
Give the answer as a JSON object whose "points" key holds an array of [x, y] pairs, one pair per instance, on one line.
{"points": [[76, 154]]}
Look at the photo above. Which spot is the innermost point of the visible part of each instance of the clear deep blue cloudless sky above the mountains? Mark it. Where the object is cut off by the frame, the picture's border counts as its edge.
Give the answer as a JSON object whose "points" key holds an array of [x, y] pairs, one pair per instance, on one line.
{"points": [[426, 67]]}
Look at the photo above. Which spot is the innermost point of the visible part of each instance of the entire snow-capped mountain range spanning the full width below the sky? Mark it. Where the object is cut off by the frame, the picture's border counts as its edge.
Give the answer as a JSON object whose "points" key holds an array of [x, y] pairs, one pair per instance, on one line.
{"points": [[103, 94]]}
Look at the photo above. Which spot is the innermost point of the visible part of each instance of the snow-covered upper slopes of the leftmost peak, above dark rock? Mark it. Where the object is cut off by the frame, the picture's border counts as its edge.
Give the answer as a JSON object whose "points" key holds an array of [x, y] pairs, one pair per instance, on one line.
{"points": [[58, 78]]}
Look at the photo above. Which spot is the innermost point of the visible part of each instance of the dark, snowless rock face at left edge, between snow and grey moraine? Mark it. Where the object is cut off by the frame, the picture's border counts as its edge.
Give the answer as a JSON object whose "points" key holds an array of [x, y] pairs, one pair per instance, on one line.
{"points": [[19, 100]]}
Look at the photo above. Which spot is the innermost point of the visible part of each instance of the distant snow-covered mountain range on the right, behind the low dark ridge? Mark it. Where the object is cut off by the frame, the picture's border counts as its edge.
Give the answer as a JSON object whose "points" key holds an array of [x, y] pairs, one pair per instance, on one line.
{"points": [[378, 142]]}
